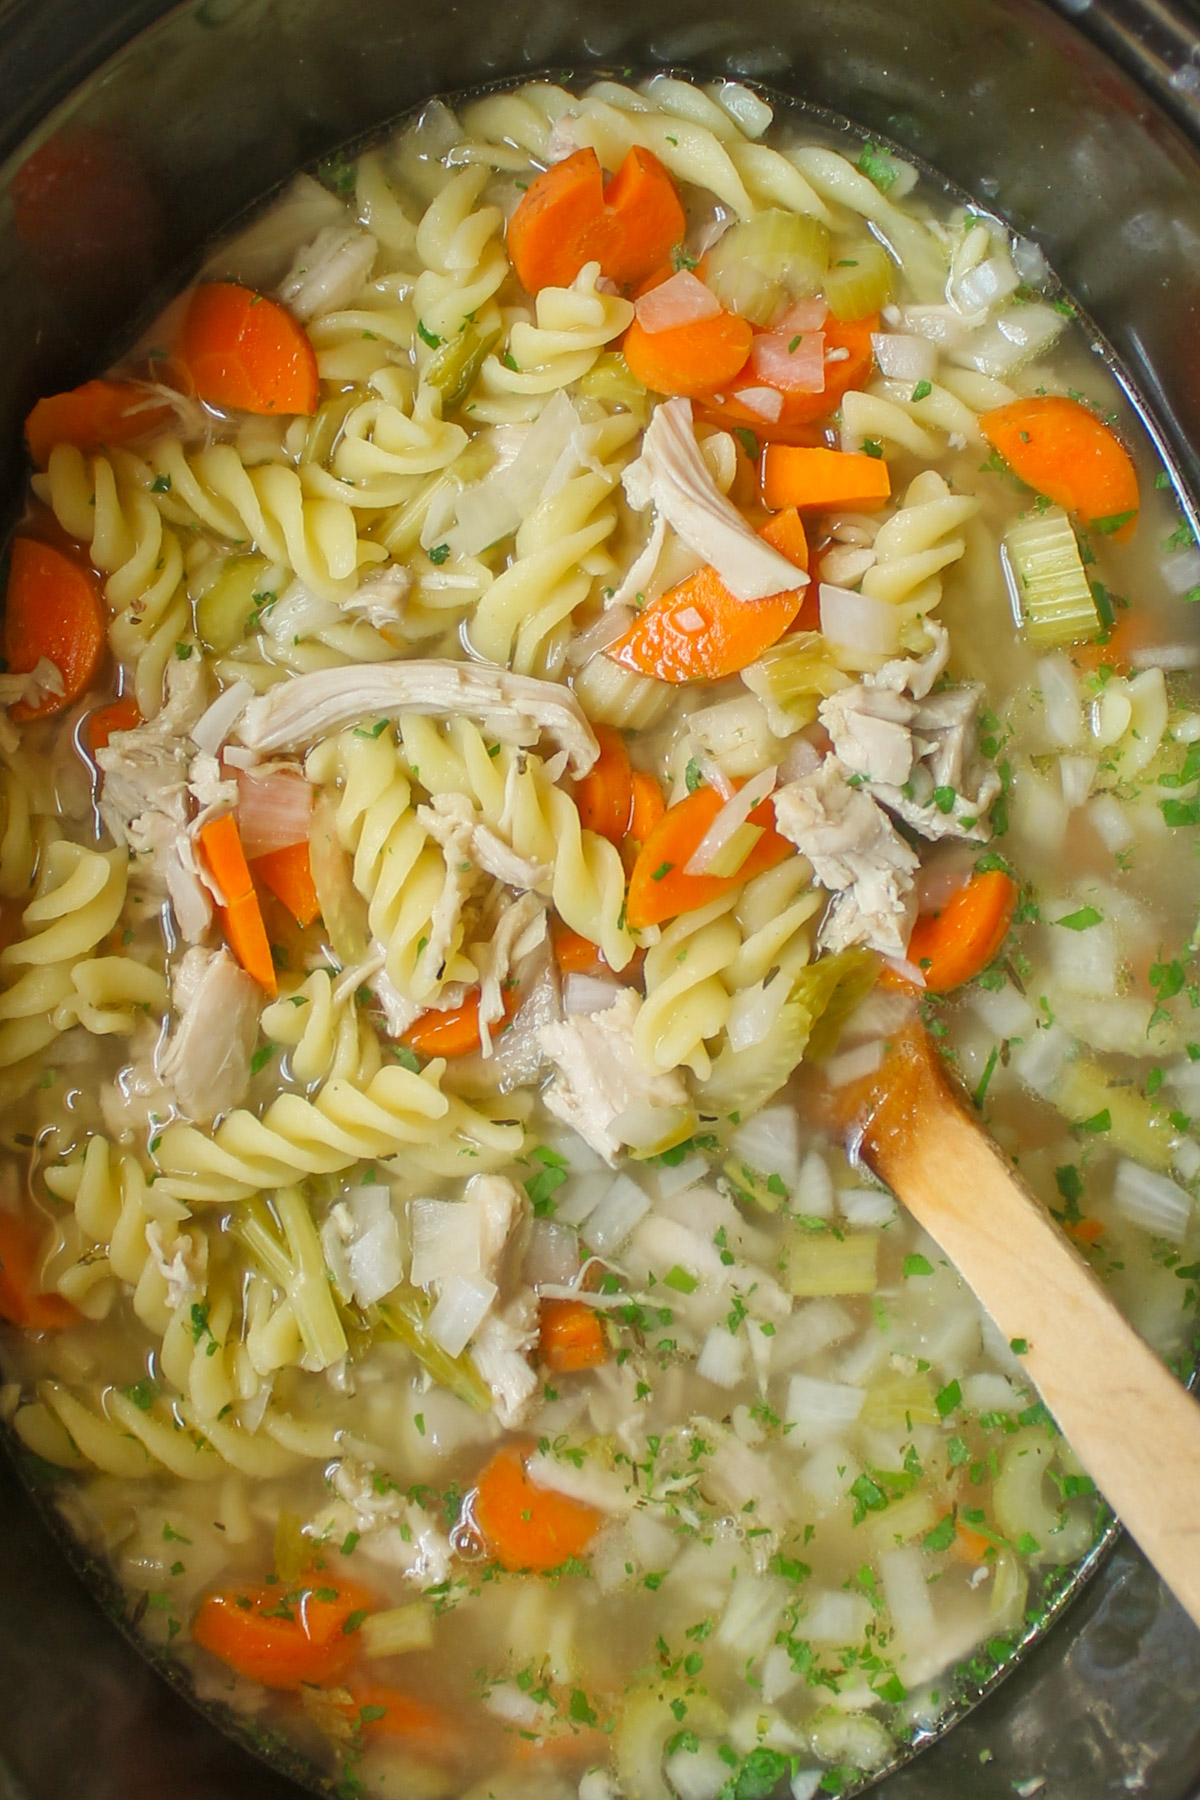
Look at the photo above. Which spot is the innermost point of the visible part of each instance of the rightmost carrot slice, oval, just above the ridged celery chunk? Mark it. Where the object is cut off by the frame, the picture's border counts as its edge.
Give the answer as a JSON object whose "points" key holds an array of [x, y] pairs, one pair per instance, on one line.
{"points": [[1061, 449]]}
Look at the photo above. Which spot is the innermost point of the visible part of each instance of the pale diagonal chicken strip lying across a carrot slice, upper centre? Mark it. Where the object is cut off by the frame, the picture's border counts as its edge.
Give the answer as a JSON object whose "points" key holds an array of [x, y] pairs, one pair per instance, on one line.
{"points": [[674, 476]]}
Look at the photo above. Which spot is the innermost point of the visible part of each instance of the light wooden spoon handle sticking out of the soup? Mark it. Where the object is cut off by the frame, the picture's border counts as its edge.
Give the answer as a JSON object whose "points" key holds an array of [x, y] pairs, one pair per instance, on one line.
{"points": [[1131, 1423]]}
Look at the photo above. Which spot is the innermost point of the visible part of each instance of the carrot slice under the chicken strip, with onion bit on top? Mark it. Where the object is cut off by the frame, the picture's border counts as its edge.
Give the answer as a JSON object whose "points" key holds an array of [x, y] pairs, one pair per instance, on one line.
{"points": [[699, 631]]}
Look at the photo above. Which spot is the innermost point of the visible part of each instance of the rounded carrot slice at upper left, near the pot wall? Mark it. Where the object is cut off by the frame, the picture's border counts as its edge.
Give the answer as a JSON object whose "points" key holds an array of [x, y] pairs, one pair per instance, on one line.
{"points": [[249, 354]]}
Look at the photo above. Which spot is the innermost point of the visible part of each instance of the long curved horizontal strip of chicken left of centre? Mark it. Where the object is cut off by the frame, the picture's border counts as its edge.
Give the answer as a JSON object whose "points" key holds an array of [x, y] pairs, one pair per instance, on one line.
{"points": [[512, 708]]}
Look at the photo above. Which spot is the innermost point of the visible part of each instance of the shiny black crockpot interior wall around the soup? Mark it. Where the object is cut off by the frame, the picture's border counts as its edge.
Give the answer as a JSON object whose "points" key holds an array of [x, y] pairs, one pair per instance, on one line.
{"points": [[163, 125]]}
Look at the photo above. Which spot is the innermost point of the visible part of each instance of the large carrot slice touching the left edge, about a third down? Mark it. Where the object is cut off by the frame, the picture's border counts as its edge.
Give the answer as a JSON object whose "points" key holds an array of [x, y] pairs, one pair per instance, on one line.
{"points": [[55, 611]]}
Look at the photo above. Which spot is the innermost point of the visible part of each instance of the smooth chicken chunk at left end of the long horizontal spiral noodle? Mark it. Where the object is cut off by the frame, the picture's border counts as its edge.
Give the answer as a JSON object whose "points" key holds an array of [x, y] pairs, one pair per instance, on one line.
{"points": [[206, 1065]]}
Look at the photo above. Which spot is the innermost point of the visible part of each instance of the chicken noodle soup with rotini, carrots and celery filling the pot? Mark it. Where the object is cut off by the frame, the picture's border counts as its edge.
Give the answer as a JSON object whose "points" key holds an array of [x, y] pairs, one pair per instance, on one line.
{"points": [[586, 624]]}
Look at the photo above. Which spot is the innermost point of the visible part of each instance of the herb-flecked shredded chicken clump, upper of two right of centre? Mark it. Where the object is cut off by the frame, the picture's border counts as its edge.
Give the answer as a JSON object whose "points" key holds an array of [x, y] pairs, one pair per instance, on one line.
{"points": [[913, 744]]}
